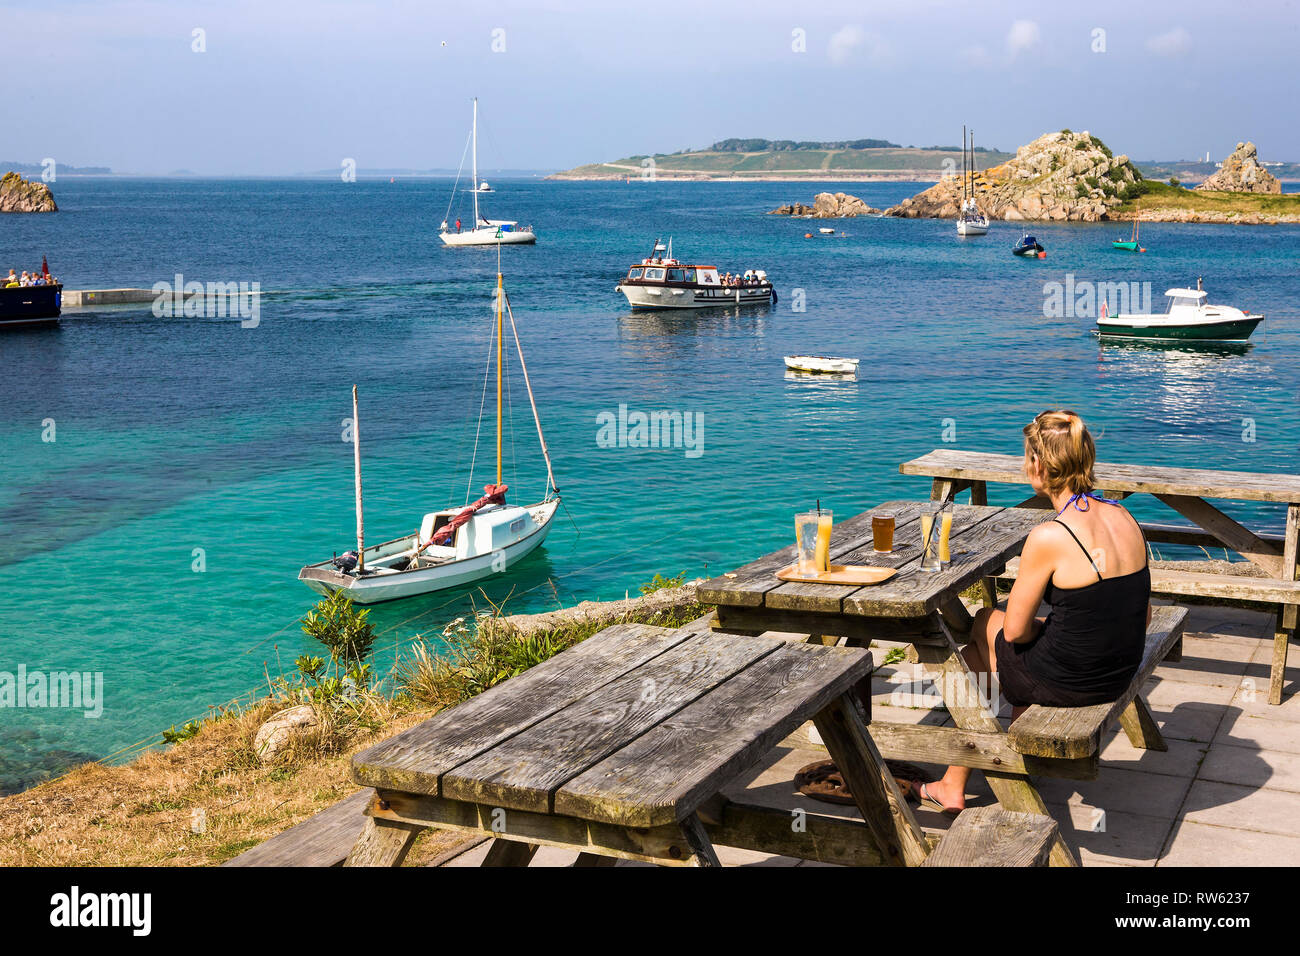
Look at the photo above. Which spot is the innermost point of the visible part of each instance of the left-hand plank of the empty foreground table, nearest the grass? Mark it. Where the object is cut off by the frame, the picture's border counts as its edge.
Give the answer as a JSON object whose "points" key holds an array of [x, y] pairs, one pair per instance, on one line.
{"points": [[417, 759]]}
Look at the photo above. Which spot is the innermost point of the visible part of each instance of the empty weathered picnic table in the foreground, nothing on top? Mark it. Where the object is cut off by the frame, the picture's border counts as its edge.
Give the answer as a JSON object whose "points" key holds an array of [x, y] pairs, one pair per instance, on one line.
{"points": [[621, 746]]}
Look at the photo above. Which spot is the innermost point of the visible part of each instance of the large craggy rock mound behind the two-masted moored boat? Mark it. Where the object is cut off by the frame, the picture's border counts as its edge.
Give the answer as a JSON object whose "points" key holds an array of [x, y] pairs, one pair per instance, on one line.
{"points": [[1060, 176]]}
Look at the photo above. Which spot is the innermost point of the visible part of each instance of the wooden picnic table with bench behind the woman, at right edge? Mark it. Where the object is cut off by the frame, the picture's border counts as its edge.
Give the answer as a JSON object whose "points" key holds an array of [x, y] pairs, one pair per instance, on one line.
{"points": [[1185, 491]]}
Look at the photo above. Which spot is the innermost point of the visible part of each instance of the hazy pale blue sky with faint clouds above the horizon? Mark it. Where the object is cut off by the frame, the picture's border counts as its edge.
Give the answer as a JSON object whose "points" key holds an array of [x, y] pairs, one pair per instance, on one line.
{"points": [[292, 86]]}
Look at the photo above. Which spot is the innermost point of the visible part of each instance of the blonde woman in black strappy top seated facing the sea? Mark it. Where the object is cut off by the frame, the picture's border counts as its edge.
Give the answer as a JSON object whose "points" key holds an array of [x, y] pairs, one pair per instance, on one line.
{"points": [[1090, 566]]}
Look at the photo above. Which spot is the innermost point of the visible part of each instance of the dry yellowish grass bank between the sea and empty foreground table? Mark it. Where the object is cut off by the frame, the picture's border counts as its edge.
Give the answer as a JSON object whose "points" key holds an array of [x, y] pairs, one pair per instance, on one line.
{"points": [[210, 797]]}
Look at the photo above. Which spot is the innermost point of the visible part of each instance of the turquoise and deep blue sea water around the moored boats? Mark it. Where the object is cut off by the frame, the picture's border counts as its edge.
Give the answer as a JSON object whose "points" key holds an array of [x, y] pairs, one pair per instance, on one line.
{"points": [[175, 435]]}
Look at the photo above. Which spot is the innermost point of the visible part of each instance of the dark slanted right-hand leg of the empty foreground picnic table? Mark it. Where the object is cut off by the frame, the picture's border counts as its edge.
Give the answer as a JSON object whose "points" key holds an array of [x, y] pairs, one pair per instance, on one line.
{"points": [[874, 789]]}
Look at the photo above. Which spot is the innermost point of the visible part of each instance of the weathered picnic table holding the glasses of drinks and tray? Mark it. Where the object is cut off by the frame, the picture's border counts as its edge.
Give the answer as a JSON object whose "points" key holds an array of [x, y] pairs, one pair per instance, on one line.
{"points": [[922, 608]]}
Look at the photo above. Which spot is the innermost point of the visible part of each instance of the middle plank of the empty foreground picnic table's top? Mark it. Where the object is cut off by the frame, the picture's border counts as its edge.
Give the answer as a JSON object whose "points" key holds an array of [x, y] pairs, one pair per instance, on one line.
{"points": [[526, 771]]}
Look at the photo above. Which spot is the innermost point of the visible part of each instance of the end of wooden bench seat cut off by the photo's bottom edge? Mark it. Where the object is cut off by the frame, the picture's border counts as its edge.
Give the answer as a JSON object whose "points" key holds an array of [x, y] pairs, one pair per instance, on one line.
{"points": [[993, 837]]}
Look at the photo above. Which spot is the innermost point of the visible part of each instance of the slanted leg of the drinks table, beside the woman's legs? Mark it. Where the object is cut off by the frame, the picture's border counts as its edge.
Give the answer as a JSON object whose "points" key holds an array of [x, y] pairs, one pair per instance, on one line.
{"points": [[961, 694]]}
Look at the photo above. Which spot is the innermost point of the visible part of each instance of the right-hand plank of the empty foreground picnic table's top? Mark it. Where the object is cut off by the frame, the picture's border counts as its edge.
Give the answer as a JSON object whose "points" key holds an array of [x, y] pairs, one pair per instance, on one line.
{"points": [[665, 775]]}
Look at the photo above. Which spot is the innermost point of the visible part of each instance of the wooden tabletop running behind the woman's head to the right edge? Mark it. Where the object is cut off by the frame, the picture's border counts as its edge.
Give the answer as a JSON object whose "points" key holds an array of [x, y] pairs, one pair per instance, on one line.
{"points": [[1204, 483]]}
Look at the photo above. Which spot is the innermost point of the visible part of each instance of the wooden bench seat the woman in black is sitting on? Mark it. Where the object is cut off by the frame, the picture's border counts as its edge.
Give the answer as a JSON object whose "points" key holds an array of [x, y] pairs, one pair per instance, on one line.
{"points": [[1076, 733]]}
